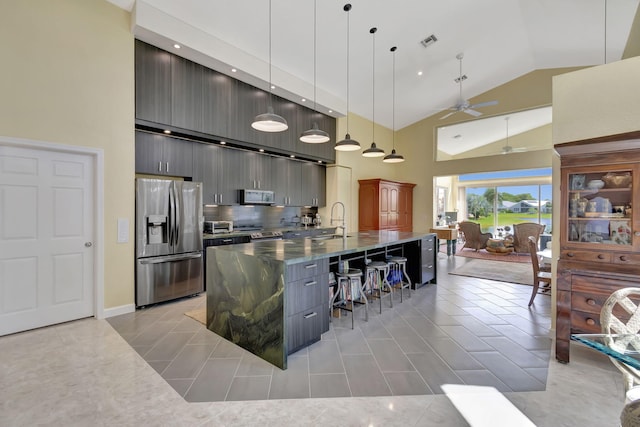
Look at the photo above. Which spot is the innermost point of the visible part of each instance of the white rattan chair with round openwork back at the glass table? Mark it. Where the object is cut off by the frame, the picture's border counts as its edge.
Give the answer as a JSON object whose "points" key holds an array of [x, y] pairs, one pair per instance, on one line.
{"points": [[620, 314]]}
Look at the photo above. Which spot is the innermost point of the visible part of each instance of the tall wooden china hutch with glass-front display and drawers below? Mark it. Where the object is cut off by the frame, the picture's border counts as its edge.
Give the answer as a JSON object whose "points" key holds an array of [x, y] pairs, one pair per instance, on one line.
{"points": [[599, 232]]}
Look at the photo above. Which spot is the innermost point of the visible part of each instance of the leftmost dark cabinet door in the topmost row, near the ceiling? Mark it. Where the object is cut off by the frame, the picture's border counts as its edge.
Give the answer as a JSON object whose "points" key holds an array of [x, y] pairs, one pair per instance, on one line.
{"points": [[153, 83]]}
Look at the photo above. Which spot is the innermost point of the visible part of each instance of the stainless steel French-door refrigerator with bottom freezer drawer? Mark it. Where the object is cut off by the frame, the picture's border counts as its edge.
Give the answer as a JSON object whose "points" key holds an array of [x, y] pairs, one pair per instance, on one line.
{"points": [[169, 223]]}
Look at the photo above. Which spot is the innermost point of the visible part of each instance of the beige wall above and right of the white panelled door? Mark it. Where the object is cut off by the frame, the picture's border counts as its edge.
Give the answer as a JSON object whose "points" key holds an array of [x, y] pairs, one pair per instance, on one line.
{"points": [[67, 77]]}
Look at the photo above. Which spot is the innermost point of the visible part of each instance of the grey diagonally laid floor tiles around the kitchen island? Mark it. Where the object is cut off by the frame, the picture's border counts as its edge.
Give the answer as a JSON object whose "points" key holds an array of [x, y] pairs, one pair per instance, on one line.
{"points": [[460, 331]]}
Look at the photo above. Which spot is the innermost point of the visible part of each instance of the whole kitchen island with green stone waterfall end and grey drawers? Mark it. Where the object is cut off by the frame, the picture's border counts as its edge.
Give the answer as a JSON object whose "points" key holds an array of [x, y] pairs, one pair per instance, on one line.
{"points": [[272, 297]]}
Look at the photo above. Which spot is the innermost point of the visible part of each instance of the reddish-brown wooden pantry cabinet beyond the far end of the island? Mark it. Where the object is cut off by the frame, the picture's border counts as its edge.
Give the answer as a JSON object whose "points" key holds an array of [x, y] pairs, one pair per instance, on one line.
{"points": [[385, 205]]}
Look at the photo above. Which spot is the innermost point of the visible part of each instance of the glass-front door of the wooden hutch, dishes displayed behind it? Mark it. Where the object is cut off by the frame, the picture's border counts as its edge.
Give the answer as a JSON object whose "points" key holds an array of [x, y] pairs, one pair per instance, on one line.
{"points": [[599, 207]]}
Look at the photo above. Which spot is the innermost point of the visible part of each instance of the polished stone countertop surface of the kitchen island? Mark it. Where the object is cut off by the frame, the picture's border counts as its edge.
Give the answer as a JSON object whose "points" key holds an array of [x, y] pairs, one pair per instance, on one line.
{"points": [[294, 251]]}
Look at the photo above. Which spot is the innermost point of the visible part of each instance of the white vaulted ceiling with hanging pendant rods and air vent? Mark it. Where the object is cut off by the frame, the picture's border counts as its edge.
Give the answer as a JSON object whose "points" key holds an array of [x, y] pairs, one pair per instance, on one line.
{"points": [[500, 40]]}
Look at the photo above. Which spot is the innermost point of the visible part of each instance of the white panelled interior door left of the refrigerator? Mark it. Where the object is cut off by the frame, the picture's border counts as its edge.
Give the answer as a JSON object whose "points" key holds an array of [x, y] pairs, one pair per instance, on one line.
{"points": [[46, 238]]}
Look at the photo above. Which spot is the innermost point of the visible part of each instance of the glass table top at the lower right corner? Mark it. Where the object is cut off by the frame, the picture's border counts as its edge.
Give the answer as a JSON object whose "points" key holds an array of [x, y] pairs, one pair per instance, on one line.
{"points": [[622, 347]]}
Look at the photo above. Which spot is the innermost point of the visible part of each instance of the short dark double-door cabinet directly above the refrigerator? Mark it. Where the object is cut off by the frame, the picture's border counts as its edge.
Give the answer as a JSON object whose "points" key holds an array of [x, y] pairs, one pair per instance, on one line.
{"points": [[161, 155]]}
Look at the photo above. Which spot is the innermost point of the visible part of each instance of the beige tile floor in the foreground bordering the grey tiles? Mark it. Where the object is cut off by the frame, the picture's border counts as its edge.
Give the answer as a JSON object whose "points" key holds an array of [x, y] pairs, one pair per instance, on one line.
{"points": [[84, 373]]}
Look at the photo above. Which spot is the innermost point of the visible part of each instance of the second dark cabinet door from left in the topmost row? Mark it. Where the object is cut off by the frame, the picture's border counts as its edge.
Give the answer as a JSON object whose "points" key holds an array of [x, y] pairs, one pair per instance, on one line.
{"points": [[187, 80]]}
